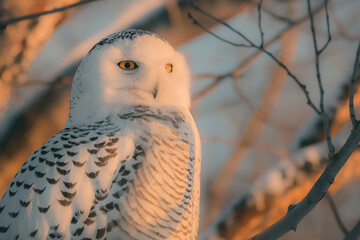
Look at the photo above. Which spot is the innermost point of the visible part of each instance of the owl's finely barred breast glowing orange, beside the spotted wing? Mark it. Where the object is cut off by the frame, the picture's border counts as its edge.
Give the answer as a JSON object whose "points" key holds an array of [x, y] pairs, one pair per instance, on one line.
{"points": [[157, 193]]}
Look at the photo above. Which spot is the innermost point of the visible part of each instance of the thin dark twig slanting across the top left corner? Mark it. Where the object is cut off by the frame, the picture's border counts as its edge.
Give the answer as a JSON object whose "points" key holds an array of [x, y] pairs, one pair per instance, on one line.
{"points": [[4, 24]]}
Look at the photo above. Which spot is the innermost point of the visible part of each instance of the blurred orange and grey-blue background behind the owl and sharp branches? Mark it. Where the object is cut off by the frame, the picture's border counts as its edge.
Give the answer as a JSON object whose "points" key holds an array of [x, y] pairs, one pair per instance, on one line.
{"points": [[262, 145]]}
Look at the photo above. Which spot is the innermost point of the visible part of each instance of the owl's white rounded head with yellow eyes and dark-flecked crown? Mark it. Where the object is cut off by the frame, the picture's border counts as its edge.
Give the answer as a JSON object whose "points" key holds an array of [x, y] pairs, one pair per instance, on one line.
{"points": [[131, 67]]}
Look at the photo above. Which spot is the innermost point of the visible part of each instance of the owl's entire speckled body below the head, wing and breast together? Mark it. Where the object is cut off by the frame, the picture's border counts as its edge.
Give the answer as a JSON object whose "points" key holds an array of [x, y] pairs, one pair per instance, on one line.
{"points": [[131, 175]]}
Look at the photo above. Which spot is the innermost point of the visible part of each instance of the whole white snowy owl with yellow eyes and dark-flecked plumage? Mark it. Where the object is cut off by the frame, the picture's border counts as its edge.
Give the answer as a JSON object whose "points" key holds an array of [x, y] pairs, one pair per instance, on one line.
{"points": [[127, 163]]}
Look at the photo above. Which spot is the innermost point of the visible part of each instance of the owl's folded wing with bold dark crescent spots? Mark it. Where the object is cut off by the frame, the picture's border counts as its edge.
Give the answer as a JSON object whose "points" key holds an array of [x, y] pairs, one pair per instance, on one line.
{"points": [[58, 185]]}
